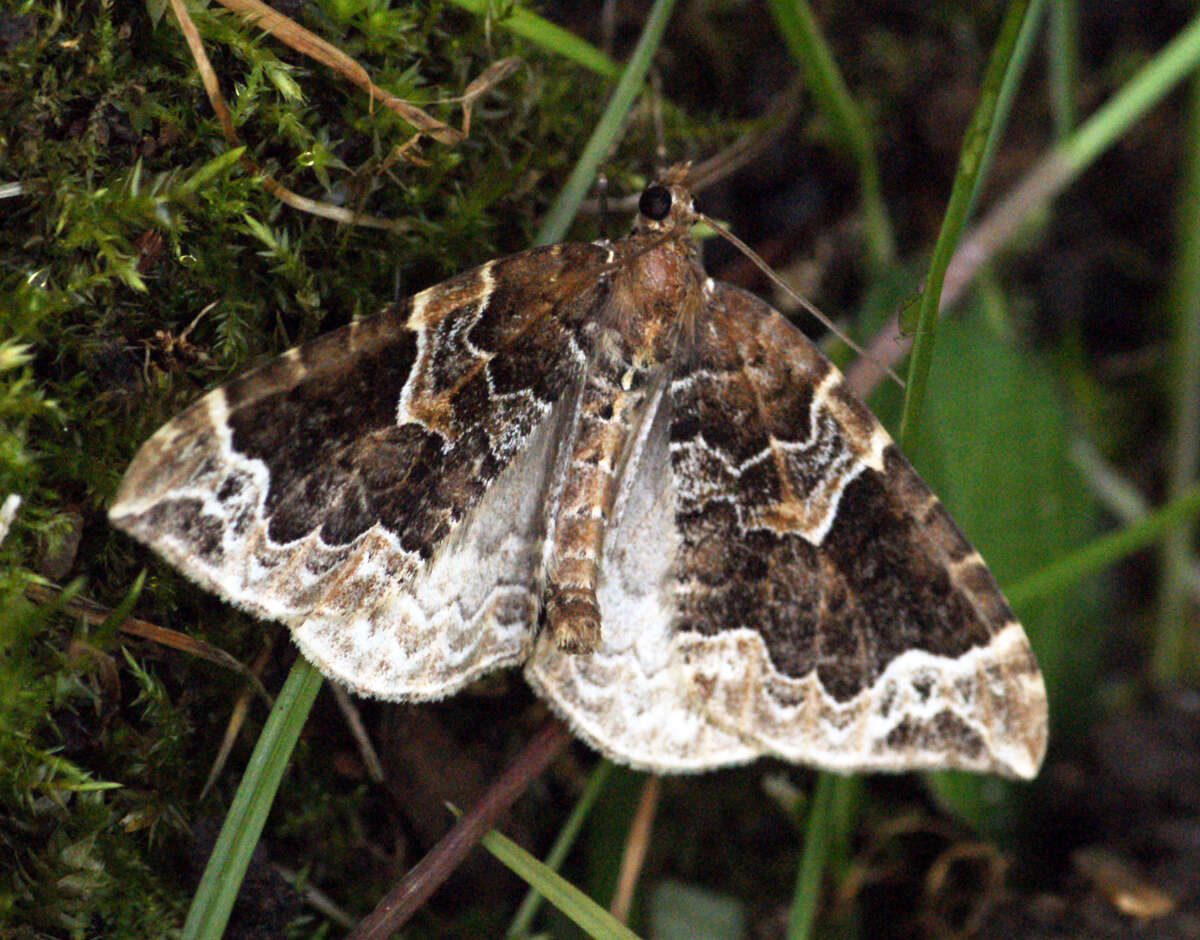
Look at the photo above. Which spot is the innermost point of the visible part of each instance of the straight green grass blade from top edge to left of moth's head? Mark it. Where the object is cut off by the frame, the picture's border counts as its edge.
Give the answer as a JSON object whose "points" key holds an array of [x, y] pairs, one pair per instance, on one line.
{"points": [[609, 129]]}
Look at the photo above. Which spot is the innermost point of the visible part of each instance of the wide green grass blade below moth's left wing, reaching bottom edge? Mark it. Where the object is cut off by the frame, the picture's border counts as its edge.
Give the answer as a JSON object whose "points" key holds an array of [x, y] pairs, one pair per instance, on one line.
{"points": [[244, 823]]}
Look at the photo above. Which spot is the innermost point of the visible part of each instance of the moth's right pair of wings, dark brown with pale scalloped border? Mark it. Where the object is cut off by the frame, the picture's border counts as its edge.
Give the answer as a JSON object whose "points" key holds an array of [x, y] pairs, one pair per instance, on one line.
{"points": [[797, 590]]}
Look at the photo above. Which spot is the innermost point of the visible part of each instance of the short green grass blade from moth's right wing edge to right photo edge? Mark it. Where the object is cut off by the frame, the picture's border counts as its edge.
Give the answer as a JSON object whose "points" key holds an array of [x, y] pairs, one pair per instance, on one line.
{"points": [[1108, 550]]}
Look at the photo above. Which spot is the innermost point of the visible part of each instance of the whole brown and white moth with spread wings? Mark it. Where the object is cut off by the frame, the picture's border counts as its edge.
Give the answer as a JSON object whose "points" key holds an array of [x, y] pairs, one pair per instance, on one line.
{"points": [[645, 486]]}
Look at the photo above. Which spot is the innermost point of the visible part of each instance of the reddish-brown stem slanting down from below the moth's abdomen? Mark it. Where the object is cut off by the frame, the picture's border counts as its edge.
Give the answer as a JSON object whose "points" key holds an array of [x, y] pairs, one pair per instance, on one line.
{"points": [[436, 867]]}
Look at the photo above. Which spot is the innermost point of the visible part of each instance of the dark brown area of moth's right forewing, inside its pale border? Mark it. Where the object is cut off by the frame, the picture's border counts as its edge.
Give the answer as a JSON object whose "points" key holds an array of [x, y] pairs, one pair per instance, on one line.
{"points": [[875, 584]]}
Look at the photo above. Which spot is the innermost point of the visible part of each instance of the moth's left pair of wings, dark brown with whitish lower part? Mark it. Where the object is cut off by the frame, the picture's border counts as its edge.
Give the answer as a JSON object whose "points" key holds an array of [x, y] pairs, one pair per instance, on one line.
{"points": [[381, 490]]}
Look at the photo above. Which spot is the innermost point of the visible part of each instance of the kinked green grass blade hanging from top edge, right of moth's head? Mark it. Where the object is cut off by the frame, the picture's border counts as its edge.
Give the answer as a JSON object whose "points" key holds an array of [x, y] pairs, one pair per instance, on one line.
{"points": [[812, 53]]}
